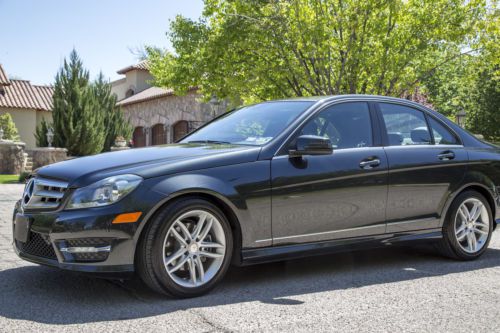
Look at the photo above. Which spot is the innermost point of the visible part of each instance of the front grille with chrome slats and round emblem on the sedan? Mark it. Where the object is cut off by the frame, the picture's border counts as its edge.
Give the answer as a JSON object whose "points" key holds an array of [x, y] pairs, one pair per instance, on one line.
{"points": [[41, 193]]}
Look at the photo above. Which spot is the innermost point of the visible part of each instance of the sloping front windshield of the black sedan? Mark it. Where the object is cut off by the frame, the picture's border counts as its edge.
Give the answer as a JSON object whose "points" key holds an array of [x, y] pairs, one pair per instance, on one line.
{"points": [[251, 125]]}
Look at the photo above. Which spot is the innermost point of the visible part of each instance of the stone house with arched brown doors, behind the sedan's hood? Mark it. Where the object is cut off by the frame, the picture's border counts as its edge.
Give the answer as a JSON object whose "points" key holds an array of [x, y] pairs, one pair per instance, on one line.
{"points": [[158, 115]]}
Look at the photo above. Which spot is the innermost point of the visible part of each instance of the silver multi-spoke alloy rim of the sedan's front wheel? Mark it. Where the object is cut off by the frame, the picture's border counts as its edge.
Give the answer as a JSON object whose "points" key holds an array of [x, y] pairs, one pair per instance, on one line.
{"points": [[194, 248]]}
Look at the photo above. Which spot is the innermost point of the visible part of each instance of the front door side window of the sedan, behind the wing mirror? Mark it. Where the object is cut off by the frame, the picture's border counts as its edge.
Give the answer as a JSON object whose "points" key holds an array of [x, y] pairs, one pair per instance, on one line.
{"points": [[347, 125]]}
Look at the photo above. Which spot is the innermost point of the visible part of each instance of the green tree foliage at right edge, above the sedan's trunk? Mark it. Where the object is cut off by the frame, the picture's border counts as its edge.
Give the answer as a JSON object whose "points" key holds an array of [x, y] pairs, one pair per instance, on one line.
{"points": [[472, 83]]}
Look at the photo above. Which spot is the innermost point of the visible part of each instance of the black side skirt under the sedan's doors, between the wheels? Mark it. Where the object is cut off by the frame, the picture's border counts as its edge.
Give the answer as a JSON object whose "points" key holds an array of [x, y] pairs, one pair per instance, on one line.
{"points": [[286, 252]]}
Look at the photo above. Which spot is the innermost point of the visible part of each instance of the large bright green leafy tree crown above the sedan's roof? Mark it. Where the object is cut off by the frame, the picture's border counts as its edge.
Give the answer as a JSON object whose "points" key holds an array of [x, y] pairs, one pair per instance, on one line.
{"points": [[265, 49]]}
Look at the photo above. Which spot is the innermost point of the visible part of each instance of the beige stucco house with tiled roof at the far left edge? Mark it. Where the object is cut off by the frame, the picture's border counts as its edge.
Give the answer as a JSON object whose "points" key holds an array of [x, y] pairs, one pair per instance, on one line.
{"points": [[27, 103]]}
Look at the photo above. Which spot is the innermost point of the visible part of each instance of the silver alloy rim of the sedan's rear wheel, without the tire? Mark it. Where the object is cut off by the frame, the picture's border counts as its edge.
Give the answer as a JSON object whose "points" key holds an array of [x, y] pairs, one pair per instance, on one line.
{"points": [[472, 225]]}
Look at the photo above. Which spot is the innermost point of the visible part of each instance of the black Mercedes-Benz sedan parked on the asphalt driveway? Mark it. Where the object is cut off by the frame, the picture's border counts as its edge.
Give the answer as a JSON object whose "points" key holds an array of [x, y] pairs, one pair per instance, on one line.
{"points": [[266, 182]]}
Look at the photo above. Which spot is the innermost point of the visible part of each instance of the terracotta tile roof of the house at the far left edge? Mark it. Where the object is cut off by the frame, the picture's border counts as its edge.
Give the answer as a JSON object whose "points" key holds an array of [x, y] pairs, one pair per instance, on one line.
{"points": [[23, 94]]}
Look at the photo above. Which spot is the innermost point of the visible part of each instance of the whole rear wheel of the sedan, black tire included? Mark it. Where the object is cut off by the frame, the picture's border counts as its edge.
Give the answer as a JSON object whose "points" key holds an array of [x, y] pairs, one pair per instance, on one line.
{"points": [[454, 244]]}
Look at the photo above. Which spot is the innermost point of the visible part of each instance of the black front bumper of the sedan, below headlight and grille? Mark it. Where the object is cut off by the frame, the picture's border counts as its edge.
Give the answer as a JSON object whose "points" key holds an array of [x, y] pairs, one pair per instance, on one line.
{"points": [[53, 236]]}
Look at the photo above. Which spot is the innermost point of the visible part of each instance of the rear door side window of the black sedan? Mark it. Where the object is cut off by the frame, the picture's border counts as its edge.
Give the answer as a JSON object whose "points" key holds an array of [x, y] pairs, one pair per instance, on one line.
{"points": [[405, 125]]}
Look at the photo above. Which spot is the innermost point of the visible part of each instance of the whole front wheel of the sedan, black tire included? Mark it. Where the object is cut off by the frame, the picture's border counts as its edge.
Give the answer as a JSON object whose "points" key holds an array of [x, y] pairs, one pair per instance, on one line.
{"points": [[161, 249]]}
